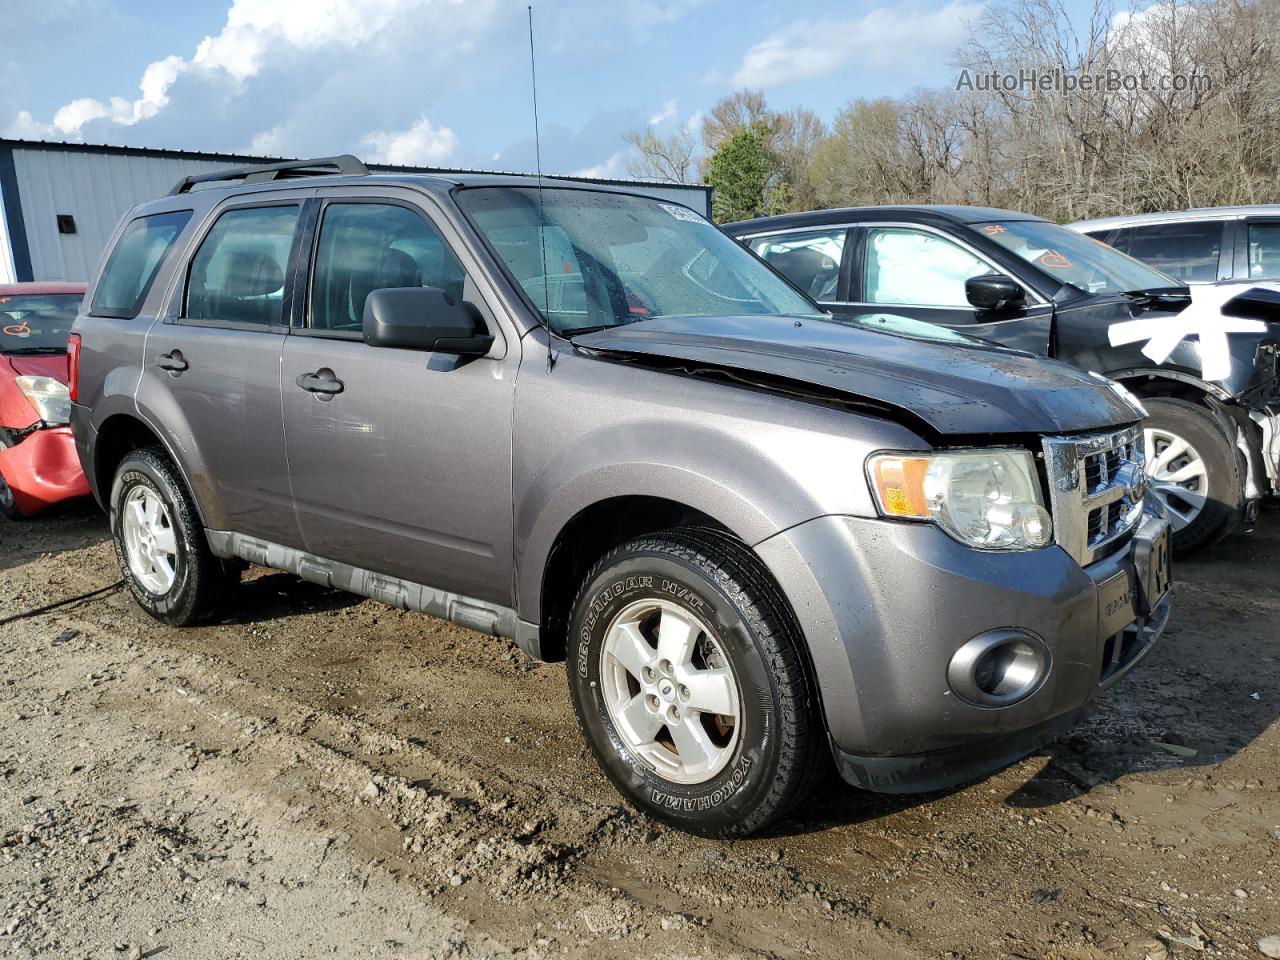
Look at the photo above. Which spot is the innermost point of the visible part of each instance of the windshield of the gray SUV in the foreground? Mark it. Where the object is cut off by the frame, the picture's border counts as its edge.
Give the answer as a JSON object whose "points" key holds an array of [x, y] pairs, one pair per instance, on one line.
{"points": [[591, 259]]}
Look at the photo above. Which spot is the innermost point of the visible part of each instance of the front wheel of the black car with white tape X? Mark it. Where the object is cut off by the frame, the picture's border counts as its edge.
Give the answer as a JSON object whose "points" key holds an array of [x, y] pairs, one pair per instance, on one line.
{"points": [[1194, 469]]}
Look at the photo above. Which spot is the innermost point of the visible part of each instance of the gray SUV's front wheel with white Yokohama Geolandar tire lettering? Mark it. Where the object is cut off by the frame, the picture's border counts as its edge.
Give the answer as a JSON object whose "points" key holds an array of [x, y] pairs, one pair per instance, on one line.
{"points": [[691, 683]]}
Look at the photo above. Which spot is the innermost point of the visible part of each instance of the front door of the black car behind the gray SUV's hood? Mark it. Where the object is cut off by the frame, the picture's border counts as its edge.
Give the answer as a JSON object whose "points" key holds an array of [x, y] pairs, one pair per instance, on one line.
{"points": [[920, 272]]}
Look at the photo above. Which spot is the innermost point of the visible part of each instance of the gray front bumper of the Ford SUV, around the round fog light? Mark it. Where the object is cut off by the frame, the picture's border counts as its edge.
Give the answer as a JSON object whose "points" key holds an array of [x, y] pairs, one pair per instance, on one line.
{"points": [[886, 606]]}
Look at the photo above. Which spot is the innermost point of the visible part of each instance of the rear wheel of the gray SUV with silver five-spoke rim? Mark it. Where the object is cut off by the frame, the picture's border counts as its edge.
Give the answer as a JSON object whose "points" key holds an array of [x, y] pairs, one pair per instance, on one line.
{"points": [[161, 543]]}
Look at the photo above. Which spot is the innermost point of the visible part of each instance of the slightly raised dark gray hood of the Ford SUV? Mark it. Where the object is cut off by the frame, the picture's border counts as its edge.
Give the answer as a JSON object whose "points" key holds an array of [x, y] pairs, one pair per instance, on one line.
{"points": [[953, 385]]}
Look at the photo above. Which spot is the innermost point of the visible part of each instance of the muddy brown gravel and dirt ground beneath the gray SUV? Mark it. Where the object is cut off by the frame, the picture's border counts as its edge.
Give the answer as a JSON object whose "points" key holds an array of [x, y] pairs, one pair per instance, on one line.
{"points": [[323, 776]]}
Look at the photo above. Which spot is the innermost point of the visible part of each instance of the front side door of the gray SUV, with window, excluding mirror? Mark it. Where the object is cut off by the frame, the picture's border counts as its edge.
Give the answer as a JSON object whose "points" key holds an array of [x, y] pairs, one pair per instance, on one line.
{"points": [[400, 459]]}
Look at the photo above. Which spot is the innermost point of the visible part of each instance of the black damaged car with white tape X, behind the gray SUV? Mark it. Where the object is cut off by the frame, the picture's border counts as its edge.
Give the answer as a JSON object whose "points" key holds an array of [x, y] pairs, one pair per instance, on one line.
{"points": [[1208, 374]]}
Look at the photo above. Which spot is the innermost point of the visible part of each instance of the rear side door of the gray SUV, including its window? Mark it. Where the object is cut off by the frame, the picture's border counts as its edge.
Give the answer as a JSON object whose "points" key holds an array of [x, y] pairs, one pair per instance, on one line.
{"points": [[212, 371]]}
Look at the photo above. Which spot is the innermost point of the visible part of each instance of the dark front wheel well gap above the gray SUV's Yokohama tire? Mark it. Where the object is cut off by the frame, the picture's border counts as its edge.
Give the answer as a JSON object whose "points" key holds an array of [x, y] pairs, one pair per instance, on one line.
{"points": [[588, 537]]}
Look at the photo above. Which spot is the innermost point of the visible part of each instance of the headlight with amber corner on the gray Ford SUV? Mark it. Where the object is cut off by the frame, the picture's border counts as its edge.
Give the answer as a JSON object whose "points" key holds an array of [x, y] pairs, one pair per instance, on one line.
{"points": [[989, 500]]}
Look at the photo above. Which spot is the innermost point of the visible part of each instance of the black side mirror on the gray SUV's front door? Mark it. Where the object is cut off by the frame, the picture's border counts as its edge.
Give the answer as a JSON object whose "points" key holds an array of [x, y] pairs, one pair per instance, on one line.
{"points": [[424, 318]]}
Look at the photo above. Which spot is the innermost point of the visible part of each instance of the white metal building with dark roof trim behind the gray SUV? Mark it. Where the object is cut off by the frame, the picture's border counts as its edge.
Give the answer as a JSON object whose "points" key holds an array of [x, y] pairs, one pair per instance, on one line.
{"points": [[60, 203]]}
